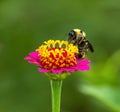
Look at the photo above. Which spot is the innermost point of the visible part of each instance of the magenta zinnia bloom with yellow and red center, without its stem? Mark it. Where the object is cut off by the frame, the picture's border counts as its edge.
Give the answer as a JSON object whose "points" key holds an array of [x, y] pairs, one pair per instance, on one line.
{"points": [[57, 57]]}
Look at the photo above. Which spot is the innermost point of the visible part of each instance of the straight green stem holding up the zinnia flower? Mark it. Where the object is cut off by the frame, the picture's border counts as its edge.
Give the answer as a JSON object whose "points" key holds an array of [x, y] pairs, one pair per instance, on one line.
{"points": [[56, 86]]}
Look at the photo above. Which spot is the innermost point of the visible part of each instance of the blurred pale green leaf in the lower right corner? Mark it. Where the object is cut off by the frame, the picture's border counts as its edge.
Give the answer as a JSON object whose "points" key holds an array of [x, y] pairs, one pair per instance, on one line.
{"points": [[107, 95]]}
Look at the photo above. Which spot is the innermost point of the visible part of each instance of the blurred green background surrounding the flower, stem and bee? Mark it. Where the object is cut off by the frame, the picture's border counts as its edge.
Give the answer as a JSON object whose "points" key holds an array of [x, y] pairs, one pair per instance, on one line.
{"points": [[25, 24]]}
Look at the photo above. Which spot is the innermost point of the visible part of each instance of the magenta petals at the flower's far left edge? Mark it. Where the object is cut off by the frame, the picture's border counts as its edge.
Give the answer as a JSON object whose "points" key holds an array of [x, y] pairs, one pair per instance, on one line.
{"points": [[33, 58]]}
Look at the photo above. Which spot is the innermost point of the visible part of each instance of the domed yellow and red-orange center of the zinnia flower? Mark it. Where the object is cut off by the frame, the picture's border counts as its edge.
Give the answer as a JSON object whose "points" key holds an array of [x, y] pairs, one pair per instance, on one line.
{"points": [[57, 54]]}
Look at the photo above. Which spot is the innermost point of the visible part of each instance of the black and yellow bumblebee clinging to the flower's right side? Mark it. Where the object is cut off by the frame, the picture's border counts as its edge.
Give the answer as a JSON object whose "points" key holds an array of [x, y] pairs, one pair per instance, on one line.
{"points": [[78, 38]]}
